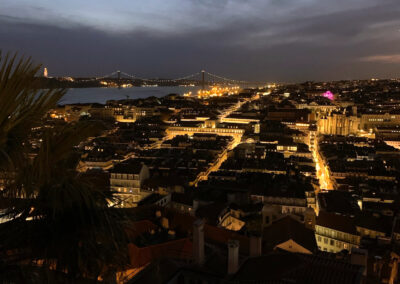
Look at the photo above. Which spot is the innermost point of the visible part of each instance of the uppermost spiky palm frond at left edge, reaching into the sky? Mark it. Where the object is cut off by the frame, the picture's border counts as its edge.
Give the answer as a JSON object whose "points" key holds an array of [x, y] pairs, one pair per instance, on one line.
{"points": [[22, 106]]}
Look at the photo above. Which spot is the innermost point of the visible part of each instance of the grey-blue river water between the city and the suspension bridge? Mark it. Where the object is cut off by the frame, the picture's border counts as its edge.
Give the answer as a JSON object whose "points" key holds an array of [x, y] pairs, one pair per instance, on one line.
{"points": [[101, 95]]}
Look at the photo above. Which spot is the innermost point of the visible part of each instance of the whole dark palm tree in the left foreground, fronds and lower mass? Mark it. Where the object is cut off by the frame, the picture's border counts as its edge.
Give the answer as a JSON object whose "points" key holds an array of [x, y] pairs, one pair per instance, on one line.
{"points": [[60, 227]]}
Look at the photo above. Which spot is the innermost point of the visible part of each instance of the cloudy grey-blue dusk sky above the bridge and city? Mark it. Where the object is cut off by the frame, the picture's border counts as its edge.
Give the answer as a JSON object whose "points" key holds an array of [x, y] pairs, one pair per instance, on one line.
{"points": [[272, 40]]}
